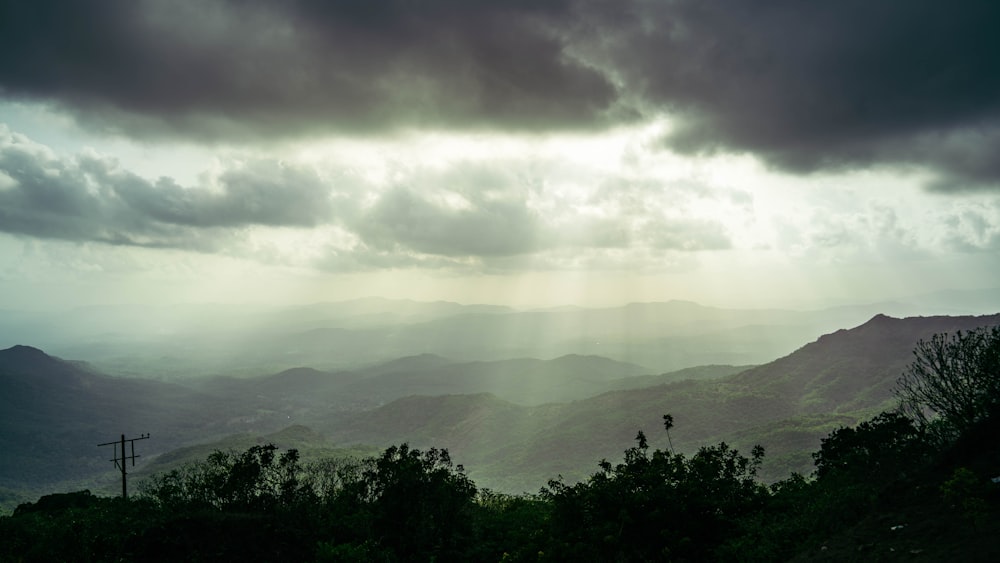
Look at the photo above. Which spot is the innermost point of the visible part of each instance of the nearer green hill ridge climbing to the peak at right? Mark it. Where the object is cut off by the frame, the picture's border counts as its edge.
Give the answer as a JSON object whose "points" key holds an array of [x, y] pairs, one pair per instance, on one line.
{"points": [[787, 405]]}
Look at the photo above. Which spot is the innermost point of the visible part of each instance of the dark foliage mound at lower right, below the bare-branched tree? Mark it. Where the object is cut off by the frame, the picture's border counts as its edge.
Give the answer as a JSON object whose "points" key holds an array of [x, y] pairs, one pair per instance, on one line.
{"points": [[878, 487]]}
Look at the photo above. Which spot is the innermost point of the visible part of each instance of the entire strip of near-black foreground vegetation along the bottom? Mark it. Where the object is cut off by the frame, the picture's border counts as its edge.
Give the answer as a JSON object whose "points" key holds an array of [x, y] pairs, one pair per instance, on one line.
{"points": [[893, 487]]}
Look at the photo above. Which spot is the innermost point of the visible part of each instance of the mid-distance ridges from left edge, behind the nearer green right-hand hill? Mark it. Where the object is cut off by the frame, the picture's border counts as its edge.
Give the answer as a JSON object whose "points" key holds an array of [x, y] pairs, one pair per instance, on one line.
{"points": [[71, 407]]}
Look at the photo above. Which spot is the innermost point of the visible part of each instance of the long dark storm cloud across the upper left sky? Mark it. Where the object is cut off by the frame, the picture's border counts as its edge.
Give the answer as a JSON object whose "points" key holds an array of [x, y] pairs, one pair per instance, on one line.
{"points": [[224, 69]]}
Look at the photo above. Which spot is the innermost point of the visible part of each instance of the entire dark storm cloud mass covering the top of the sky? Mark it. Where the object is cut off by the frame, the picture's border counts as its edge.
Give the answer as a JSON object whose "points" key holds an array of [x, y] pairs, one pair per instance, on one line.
{"points": [[804, 86]]}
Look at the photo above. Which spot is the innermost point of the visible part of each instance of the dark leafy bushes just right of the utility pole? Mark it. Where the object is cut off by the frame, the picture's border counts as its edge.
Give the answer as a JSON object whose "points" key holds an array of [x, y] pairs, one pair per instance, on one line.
{"points": [[403, 504]]}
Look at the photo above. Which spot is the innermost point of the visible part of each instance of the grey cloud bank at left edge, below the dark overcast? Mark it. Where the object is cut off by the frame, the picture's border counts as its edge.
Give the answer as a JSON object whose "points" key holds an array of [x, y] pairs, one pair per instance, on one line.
{"points": [[91, 198]]}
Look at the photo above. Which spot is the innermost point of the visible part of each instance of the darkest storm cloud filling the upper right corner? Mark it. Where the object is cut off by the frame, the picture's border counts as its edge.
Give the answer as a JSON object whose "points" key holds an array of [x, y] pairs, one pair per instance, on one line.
{"points": [[823, 85]]}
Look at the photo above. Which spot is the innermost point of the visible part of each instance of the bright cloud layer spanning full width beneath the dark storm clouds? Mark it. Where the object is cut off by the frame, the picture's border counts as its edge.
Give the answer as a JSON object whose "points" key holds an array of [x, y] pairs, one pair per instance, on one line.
{"points": [[532, 212]]}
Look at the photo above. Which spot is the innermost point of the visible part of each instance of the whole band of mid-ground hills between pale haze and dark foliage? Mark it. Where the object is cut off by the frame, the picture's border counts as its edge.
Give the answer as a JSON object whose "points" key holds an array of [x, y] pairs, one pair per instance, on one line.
{"points": [[512, 423]]}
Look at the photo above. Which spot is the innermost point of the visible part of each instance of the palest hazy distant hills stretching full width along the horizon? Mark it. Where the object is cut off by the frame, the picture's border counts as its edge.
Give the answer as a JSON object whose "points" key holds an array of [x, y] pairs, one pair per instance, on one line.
{"points": [[182, 341]]}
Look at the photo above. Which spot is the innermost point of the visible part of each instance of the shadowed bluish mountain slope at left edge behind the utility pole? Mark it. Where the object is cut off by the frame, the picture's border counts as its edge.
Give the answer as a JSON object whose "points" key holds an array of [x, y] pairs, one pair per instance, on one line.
{"points": [[53, 413]]}
